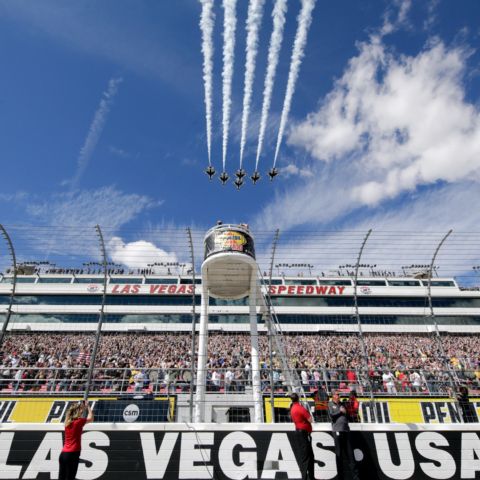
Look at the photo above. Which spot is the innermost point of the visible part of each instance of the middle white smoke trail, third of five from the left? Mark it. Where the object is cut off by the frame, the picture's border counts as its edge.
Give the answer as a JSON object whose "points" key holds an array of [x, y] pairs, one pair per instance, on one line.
{"points": [[254, 20]]}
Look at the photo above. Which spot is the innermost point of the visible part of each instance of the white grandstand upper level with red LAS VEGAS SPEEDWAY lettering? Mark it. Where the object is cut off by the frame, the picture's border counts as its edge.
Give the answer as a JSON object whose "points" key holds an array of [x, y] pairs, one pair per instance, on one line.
{"points": [[70, 301]]}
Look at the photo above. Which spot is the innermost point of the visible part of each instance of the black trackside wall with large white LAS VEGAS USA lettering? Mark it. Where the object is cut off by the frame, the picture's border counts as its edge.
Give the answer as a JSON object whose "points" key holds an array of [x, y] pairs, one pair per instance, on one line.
{"points": [[241, 454]]}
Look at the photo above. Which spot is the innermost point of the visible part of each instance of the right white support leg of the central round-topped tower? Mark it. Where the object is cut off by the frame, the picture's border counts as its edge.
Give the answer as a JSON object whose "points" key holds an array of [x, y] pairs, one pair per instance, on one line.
{"points": [[257, 392]]}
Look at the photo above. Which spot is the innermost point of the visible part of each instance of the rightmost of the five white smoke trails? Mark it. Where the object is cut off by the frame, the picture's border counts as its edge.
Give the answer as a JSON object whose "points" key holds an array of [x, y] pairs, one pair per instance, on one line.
{"points": [[304, 21]]}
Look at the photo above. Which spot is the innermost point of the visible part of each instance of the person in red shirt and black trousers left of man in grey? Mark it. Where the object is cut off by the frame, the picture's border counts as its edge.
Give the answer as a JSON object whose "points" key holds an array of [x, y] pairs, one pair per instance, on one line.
{"points": [[303, 428]]}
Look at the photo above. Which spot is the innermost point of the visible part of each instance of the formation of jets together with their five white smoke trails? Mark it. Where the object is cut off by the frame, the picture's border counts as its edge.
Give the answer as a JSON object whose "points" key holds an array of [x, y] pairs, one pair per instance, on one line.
{"points": [[276, 20]]}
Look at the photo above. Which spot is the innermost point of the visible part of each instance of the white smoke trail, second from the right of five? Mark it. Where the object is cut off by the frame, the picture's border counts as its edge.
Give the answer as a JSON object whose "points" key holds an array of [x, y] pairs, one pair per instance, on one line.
{"points": [[278, 14]]}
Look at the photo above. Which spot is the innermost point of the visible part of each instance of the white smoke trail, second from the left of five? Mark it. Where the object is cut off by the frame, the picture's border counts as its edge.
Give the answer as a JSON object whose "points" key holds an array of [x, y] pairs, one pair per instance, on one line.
{"points": [[229, 25]]}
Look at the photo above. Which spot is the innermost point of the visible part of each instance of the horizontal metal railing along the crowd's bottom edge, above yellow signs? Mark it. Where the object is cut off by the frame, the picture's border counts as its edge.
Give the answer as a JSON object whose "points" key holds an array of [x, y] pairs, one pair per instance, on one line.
{"points": [[388, 382]]}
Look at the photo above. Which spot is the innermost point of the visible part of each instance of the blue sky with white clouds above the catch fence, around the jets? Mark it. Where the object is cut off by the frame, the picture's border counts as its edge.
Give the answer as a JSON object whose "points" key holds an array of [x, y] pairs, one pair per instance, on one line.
{"points": [[102, 117]]}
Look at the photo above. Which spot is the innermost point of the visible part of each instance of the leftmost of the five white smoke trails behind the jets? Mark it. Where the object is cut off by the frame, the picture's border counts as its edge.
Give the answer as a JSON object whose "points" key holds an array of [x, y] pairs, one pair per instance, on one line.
{"points": [[207, 21]]}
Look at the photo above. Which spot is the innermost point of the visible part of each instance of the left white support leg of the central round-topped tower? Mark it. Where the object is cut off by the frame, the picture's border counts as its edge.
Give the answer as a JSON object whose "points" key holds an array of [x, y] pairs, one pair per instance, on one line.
{"points": [[202, 356]]}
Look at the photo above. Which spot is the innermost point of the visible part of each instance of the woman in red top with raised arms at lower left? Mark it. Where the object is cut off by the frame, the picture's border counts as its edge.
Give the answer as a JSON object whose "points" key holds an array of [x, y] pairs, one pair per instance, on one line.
{"points": [[78, 415]]}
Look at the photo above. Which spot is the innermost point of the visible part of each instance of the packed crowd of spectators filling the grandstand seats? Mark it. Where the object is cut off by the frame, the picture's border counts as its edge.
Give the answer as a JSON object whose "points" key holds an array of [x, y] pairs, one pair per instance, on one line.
{"points": [[400, 363]]}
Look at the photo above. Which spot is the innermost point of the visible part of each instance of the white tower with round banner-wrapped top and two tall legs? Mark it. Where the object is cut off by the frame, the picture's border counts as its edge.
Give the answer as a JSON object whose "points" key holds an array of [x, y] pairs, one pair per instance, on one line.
{"points": [[229, 271]]}
